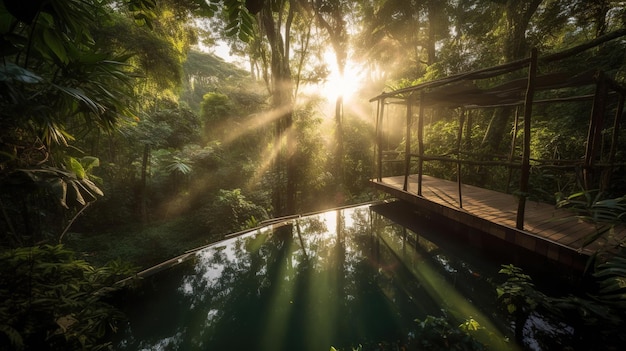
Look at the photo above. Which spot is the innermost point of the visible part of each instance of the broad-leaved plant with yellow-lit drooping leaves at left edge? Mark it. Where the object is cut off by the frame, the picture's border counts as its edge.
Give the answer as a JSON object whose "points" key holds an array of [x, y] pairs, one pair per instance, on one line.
{"points": [[35, 200]]}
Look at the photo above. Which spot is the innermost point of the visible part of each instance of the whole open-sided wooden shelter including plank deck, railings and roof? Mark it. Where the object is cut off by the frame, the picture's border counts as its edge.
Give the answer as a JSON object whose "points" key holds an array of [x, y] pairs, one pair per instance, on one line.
{"points": [[401, 159]]}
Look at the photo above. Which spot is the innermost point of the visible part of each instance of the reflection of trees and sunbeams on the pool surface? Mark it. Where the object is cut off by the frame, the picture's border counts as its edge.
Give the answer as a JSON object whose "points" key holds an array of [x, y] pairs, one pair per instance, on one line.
{"points": [[266, 289]]}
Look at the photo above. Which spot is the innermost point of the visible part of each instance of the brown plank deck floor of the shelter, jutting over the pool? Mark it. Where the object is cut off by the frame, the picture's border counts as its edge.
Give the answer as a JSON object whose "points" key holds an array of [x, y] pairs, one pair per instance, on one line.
{"points": [[548, 231]]}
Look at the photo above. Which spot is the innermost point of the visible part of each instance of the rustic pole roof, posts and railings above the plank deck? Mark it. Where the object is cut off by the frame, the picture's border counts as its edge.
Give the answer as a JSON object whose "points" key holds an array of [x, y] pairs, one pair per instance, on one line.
{"points": [[498, 87]]}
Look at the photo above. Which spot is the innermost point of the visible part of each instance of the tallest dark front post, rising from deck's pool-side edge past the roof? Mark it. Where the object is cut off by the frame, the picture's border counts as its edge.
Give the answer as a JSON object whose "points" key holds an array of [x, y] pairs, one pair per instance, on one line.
{"points": [[528, 109]]}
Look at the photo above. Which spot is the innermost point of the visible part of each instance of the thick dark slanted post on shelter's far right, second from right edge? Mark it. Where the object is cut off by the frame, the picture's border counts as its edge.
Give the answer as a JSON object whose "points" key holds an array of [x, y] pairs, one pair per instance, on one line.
{"points": [[595, 130]]}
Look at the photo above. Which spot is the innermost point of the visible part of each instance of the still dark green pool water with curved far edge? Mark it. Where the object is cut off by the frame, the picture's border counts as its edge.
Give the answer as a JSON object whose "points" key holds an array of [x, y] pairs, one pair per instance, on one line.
{"points": [[339, 278]]}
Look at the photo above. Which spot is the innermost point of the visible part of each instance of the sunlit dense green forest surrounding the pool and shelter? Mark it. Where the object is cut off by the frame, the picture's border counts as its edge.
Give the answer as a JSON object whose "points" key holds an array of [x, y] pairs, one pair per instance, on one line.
{"points": [[125, 139]]}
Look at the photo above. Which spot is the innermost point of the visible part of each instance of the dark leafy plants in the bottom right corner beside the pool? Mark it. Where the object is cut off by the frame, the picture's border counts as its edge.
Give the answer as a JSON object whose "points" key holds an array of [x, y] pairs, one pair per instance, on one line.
{"points": [[586, 322]]}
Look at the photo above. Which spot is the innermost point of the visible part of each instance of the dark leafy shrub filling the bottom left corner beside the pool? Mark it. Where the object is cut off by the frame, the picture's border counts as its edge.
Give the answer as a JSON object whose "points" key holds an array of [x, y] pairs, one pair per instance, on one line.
{"points": [[52, 301]]}
